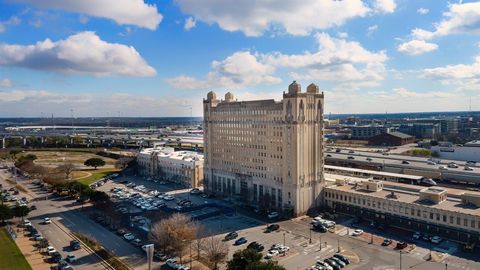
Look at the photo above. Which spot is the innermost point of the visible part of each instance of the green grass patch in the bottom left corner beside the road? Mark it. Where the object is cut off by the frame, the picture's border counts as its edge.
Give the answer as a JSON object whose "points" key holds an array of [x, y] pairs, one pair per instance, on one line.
{"points": [[10, 255]]}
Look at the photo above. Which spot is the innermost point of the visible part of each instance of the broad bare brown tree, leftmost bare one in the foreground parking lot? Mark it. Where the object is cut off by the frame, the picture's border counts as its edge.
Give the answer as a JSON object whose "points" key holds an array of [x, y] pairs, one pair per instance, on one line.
{"points": [[174, 234]]}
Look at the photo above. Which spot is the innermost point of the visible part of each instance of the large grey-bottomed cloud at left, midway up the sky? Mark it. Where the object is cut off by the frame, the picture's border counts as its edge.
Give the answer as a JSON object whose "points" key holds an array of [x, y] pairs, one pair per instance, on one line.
{"points": [[82, 53]]}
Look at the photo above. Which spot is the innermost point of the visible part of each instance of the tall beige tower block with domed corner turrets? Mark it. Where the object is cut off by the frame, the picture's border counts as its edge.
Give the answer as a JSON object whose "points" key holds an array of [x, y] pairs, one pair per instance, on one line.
{"points": [[266, 153]]}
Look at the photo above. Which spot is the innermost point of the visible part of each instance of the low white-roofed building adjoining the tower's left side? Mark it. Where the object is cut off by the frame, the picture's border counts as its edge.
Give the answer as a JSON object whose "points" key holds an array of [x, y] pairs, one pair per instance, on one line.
{"points": [[182, 167]]}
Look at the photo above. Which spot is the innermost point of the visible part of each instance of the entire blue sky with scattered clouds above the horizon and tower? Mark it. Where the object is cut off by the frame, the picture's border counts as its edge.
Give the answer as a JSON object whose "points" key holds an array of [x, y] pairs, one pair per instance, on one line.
{"points": [[160, 58]]}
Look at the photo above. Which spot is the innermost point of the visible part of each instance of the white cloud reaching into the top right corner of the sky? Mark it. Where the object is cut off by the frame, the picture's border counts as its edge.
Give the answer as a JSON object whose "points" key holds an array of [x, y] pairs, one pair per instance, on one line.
{"points": [[460, 18]]}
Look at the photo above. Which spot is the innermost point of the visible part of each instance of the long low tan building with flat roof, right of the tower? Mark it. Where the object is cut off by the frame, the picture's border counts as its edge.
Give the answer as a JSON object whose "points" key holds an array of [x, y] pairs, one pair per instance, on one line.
{"points": [[447, 213]]}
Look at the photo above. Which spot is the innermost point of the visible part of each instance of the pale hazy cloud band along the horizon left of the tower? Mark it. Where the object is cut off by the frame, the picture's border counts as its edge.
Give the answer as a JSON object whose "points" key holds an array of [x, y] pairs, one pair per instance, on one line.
{"points": [[26, 103]]}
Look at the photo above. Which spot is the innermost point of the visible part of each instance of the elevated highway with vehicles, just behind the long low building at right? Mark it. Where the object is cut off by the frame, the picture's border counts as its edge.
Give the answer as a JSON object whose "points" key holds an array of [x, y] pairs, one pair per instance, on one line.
{"points": [[394, 163]]}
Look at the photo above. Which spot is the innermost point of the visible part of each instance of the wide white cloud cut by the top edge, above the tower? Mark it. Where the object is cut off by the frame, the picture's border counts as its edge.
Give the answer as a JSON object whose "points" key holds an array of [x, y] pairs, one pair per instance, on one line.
{"points": [[253, 18]]}
